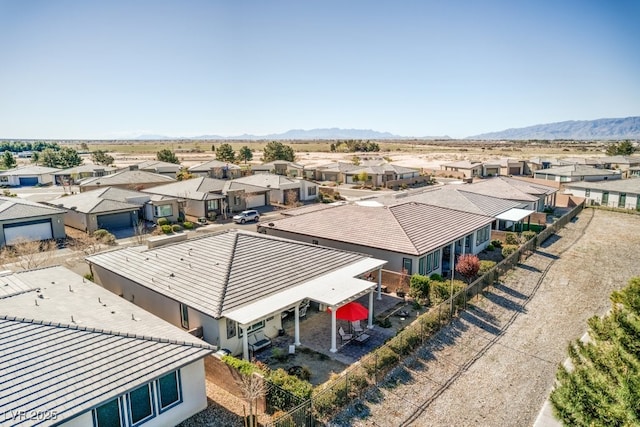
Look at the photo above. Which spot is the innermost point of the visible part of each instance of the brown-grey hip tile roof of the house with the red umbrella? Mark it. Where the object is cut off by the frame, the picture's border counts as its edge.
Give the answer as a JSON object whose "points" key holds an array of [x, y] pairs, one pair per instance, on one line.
{"points": [[222, 272]]}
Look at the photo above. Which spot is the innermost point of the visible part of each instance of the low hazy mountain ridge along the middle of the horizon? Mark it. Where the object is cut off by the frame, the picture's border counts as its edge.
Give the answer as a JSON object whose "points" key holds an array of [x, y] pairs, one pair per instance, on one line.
{"points": [[302, 134]]}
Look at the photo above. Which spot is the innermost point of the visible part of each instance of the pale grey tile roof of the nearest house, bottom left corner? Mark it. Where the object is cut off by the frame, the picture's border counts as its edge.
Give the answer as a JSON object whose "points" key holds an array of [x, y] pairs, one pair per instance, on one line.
{"points": [[53, 363]]}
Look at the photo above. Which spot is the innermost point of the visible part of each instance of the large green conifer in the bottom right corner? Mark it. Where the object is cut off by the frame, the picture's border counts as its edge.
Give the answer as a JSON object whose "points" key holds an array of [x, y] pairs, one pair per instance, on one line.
{"points": [[602, 386]]}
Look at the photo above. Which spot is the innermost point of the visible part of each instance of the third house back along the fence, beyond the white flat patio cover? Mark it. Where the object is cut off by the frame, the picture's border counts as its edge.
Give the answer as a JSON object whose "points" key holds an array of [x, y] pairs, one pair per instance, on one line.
{"points": [[533, 196]]}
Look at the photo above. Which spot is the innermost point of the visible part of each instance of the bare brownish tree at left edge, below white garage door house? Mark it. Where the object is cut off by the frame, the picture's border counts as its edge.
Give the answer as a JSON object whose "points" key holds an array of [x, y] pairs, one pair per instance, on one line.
{"points": [[27, 255]]}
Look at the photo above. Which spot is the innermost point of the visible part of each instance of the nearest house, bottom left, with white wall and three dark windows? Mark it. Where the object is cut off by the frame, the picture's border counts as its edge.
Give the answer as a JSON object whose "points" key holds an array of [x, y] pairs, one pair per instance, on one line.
{"points": [[74, 354]]}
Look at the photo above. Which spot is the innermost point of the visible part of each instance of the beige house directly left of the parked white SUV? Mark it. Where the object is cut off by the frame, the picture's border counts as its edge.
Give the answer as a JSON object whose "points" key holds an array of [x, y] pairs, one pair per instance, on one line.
{"points": [[209, 197]]}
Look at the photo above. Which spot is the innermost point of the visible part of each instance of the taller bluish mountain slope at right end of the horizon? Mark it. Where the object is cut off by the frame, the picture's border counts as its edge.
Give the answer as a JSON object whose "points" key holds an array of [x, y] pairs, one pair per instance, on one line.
{"points": [[623, 128]]}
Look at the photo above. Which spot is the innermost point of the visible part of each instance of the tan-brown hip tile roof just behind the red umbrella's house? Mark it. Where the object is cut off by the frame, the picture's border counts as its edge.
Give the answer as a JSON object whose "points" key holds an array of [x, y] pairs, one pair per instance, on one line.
{"points": [[408, 228]]}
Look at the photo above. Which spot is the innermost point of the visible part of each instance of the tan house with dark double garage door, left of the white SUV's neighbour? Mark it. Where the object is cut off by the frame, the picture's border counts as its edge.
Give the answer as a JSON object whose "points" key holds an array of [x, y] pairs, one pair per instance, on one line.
{"points": [[113, 208]]}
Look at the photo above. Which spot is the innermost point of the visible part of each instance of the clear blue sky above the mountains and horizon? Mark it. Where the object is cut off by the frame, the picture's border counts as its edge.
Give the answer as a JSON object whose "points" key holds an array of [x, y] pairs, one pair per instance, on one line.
{"points": [[117, 69]]}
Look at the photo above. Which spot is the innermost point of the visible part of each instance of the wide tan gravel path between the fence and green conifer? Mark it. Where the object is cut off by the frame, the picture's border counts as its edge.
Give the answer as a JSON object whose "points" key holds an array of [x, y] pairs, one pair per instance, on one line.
{"points": [[496, 363]]}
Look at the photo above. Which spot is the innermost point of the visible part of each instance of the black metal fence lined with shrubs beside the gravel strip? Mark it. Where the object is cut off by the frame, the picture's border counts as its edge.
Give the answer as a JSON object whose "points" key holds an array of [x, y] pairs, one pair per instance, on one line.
{"points": [[332, 397]]}
